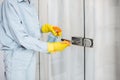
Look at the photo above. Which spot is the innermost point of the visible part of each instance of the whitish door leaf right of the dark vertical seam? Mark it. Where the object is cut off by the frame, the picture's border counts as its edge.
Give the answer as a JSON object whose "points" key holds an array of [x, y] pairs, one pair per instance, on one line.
{"points": [[103, 20]]}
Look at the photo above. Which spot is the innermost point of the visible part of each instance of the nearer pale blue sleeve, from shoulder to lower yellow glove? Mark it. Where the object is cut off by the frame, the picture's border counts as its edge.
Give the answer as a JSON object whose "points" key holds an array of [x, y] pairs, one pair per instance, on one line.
{"points": [[17, 29]]}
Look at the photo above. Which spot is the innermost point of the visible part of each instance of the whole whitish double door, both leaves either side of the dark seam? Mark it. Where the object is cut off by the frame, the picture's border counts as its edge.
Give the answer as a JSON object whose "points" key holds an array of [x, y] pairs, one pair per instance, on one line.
{"points": [[96, 19]]}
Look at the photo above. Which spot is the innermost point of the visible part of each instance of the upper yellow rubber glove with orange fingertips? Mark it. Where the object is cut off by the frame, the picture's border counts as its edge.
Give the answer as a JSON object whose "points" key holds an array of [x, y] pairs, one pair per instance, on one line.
{"points": [[56, 31]]}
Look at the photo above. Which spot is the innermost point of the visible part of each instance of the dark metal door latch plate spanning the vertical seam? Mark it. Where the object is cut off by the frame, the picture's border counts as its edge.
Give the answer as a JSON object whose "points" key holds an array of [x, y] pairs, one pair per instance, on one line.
{"points": [[80, 41]]}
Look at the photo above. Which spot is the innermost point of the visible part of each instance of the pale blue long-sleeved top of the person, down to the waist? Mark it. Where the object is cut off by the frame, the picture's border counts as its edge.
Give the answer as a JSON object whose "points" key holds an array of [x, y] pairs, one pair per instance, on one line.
{"points": [[21, 26]]}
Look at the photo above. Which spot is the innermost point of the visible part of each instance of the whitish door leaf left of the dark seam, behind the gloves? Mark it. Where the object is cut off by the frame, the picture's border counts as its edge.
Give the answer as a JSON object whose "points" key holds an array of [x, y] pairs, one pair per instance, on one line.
{"points": [[69, 15]]}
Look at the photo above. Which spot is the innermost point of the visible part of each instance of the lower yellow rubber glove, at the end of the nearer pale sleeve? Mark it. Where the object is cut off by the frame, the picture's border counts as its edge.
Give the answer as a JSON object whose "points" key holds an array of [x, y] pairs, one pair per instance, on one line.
{"points": [[57, 46]]}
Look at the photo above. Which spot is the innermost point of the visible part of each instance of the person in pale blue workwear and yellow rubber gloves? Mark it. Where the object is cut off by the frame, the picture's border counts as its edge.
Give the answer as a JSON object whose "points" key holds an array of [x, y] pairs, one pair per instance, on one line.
{"points": [[20, 32]]}
